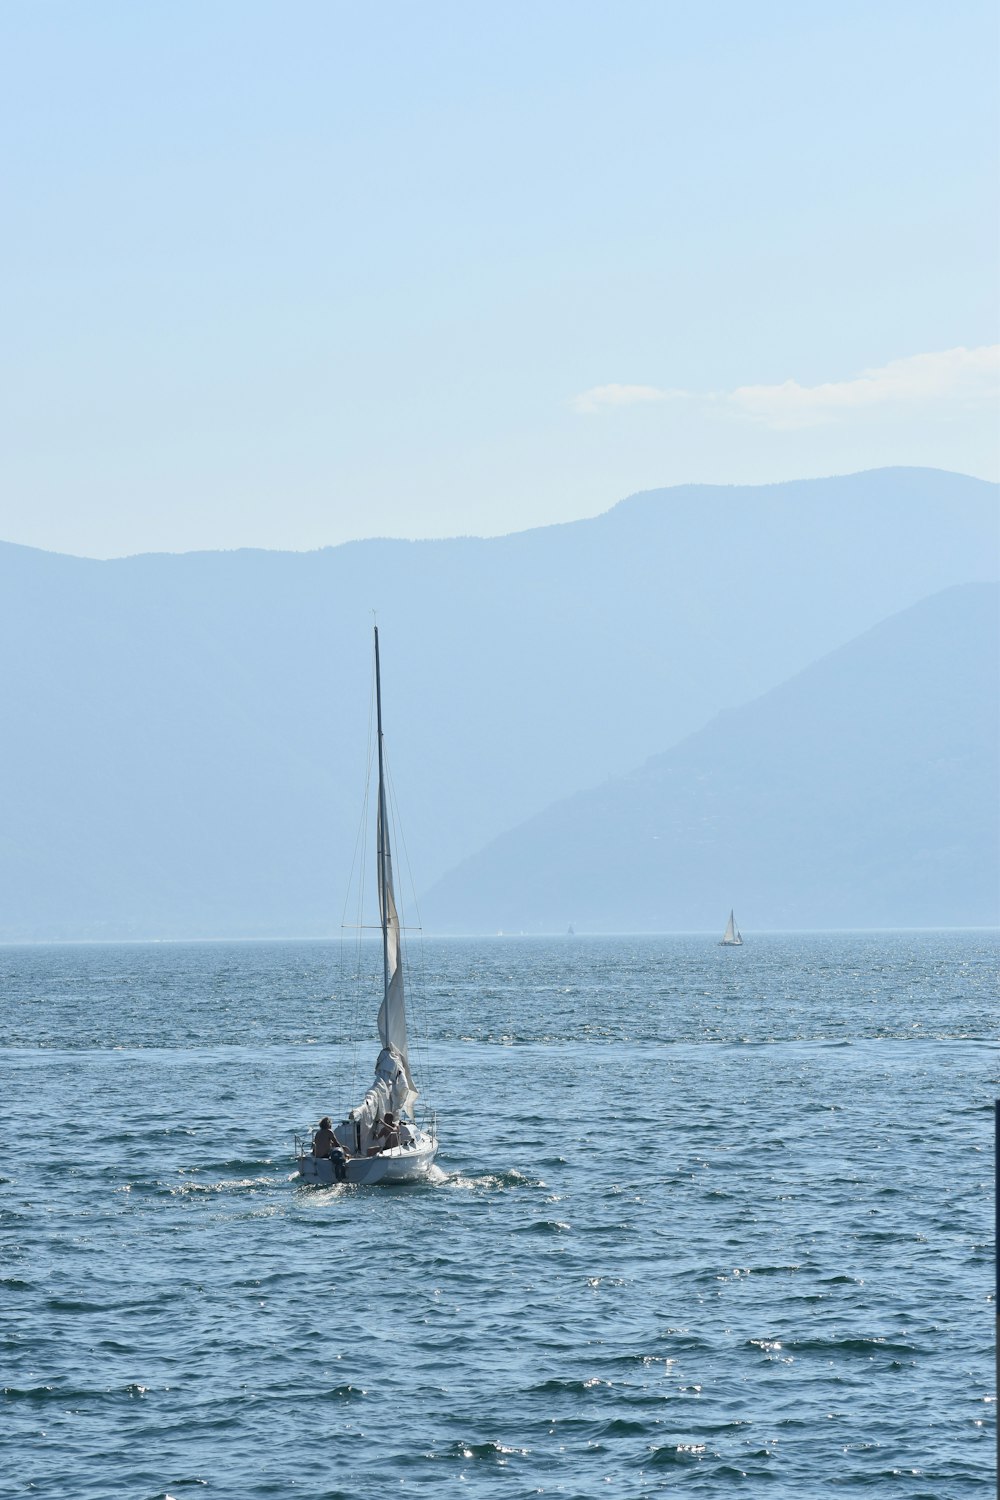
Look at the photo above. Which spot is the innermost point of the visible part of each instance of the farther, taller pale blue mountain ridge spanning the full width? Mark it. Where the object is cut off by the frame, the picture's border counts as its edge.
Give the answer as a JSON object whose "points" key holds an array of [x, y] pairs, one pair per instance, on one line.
{"points": [[184, 737]]}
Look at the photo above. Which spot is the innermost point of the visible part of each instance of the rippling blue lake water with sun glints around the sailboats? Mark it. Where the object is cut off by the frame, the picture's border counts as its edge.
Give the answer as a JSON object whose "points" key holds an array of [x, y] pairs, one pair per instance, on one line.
{"points": [[705, 1220]]}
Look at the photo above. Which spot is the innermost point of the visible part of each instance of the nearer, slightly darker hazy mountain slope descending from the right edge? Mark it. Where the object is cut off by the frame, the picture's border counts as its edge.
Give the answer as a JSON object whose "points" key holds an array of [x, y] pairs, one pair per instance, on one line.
{"points": [[864, 793]]}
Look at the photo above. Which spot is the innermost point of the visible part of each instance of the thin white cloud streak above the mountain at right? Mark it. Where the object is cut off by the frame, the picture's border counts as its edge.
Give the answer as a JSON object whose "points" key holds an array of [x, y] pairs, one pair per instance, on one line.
{"points": [[959, 379]]}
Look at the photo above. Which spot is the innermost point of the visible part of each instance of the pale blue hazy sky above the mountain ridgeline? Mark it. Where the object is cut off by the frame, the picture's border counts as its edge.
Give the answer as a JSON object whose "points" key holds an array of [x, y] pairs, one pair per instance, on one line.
{"points": [[284, 277]]}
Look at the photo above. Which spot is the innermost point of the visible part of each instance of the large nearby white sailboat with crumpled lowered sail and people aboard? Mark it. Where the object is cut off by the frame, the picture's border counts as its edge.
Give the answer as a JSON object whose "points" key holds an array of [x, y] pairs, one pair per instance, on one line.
{"points": [[380, 1139]]}
